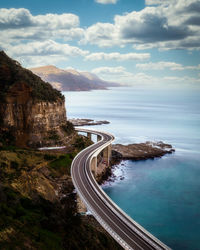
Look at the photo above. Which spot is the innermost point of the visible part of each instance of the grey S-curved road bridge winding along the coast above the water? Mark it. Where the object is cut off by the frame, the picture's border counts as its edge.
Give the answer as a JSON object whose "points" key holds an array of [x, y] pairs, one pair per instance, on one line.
{"points": [[128, 233]]}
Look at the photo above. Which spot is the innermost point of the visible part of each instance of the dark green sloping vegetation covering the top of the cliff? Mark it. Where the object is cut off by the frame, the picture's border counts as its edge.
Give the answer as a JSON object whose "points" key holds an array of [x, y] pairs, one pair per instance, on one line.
{"points": [[12, 73]]}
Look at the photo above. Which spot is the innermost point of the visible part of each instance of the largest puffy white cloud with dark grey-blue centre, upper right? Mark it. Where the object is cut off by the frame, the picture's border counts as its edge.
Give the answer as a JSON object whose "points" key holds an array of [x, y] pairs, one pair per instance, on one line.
{"points": [[173, 24]]}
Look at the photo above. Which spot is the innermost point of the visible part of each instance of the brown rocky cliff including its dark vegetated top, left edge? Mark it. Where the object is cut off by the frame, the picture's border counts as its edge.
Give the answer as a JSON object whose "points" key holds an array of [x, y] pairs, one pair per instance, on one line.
{"points": [[32, 113]]}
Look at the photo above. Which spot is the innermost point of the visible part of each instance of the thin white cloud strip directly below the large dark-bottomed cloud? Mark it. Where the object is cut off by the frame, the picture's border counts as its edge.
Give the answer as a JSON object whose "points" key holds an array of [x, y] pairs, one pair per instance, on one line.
{"points": [[117, 56]]}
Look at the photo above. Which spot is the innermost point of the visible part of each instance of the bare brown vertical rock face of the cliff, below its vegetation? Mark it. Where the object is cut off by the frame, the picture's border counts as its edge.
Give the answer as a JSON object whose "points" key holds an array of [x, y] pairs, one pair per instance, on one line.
{"points": [[32, 123]]}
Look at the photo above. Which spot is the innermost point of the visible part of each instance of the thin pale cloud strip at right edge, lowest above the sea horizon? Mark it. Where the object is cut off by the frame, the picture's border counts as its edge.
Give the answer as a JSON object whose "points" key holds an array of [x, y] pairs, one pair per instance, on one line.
{"points": [[165, 65]]}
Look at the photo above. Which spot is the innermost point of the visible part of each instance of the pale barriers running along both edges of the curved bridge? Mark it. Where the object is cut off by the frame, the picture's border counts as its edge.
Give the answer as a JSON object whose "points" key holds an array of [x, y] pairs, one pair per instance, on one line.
{"points": [[148, 237]]}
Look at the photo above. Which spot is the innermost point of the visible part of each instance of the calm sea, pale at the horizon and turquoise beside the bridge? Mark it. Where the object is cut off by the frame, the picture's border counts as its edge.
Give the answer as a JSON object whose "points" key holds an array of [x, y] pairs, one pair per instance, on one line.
{"points": [[163, 195]]}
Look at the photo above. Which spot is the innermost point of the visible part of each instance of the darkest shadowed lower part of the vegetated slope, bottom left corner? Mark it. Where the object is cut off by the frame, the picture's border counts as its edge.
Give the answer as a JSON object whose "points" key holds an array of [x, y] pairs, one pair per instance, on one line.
{"points": [[40, 224]]}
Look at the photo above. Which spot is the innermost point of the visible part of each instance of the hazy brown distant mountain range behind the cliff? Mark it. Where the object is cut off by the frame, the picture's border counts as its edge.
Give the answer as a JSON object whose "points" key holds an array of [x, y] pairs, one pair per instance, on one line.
{"points": [[70, 79]]}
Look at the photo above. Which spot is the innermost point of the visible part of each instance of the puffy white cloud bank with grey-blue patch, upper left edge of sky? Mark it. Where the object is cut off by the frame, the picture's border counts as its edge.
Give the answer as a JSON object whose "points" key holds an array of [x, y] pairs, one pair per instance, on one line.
{"points": [[20, 24]]}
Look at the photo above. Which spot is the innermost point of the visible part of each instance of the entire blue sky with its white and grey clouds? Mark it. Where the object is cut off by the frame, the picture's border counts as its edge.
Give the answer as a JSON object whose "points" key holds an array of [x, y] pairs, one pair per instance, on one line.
{"points": [[126, 41]]}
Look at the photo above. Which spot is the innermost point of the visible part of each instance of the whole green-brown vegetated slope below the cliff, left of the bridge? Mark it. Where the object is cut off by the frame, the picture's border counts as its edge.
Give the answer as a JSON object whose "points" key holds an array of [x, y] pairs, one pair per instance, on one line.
{"points": [[28, 218]]}
